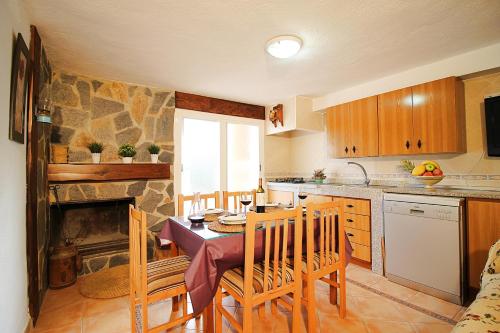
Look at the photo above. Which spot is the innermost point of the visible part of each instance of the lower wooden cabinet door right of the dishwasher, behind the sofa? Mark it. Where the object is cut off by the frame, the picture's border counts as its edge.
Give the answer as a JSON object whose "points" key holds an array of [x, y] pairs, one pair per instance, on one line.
{"points": [[483, 230]]}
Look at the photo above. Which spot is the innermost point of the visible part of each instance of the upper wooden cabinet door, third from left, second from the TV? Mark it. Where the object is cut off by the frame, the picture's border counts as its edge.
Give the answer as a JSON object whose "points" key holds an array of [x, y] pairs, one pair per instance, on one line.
{"points": [[395, 123]]}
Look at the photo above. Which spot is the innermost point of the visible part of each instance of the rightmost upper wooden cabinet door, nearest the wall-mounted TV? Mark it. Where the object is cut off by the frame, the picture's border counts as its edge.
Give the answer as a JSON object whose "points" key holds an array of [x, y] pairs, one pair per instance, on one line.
{"points": [[438, 116]]}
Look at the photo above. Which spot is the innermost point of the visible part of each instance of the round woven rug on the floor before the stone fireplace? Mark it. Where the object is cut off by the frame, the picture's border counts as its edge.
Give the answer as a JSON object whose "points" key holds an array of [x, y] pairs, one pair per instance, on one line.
{"points": [[107, 283]]}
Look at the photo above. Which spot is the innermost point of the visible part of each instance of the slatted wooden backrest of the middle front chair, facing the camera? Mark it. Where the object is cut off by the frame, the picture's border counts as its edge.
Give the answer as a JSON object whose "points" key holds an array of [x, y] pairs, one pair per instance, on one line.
{"points": [[277, 228]]}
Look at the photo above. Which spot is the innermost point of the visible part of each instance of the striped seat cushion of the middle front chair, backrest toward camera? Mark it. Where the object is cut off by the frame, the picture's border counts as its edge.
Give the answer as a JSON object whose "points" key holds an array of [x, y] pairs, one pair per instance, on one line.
{"points": [[233, 278]]}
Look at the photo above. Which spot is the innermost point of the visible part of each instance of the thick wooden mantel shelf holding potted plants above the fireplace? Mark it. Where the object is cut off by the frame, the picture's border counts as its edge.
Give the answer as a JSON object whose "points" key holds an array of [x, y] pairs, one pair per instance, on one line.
{"points": [[107, 172]]}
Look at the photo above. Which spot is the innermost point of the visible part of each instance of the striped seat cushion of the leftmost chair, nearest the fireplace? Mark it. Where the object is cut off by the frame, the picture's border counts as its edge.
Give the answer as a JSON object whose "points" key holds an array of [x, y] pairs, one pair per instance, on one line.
{"points": [[166, 273]]}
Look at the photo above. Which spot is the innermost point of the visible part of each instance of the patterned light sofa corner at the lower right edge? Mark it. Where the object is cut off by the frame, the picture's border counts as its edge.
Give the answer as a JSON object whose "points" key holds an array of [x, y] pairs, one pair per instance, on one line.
{"points": [[483, 315]]}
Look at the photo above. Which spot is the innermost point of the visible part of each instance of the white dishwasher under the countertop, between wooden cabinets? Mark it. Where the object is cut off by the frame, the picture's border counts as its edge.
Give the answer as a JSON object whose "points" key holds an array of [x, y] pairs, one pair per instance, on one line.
{"points": [[424, 244]]}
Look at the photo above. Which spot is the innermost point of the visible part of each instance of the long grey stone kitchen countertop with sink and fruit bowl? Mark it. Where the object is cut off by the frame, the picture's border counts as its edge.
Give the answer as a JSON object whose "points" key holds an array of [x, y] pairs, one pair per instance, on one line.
{"points": [[437, 190]]}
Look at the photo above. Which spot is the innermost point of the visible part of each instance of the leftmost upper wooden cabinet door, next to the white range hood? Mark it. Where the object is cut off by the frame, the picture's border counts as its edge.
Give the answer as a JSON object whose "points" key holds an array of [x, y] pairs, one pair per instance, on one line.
{"points": [[337, 127]]}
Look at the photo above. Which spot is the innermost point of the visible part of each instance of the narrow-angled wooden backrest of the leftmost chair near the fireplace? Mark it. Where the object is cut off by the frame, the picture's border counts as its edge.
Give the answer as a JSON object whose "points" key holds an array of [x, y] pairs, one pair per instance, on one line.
{"points": [[137, 252]]}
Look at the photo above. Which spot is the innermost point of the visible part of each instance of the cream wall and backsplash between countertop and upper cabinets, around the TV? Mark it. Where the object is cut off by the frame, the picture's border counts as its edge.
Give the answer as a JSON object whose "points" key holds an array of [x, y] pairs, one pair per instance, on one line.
{"points": [[474, 168]]}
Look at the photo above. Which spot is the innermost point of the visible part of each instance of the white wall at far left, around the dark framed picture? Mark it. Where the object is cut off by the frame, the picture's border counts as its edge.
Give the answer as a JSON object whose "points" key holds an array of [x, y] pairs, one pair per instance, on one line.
{"points": [[13, 276]]}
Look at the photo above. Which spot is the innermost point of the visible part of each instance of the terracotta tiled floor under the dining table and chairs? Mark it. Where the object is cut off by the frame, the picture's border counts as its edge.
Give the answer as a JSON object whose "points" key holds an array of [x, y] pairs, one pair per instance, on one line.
{"points": [[67, 311]]}
